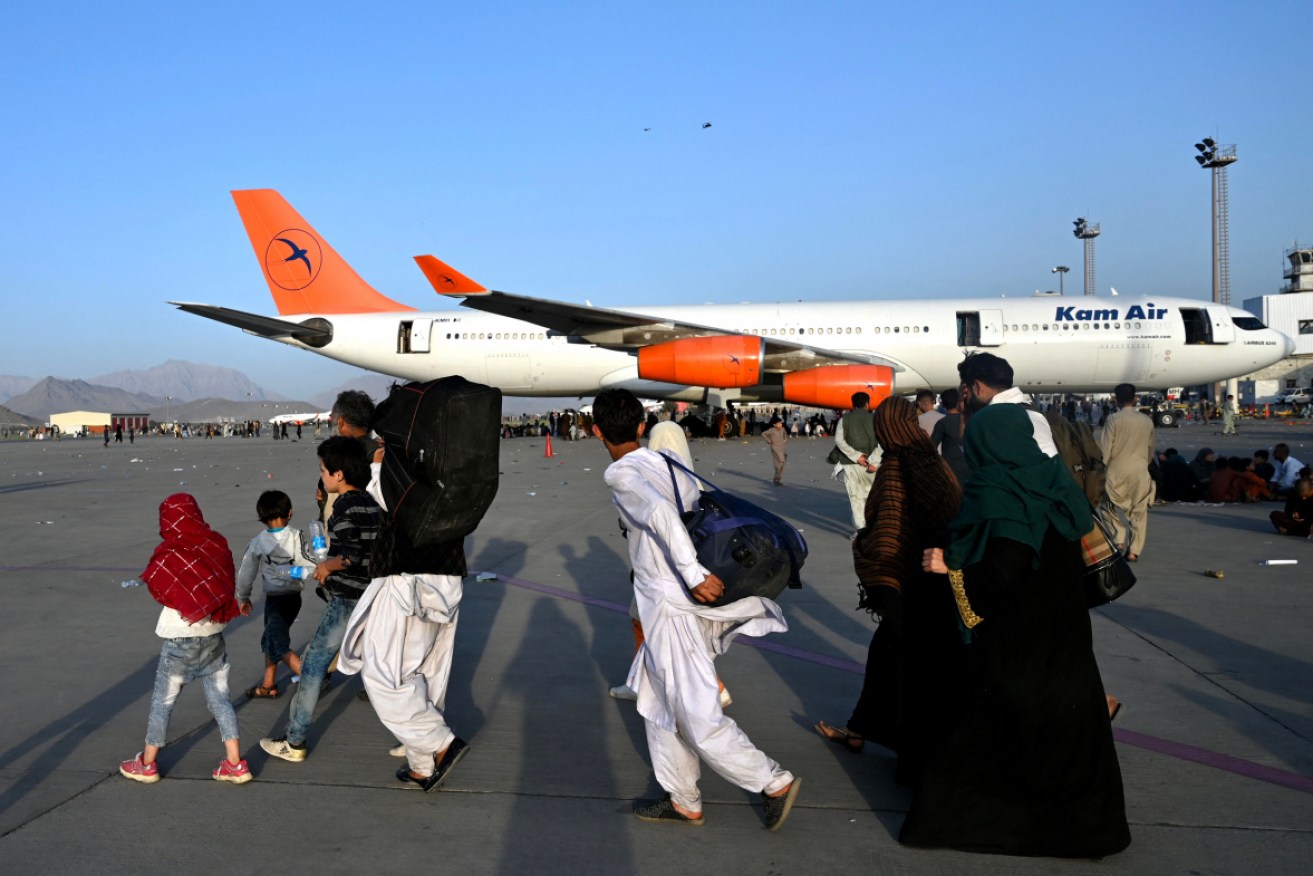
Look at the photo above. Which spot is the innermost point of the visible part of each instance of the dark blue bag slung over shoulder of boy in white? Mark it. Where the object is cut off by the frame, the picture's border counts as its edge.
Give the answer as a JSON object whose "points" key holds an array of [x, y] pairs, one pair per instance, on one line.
{"points": [[753, 551]]}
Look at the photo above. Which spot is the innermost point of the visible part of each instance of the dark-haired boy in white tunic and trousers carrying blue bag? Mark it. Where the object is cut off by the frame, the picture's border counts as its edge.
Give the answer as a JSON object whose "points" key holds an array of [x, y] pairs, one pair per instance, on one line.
{"points": [[674, 672]]}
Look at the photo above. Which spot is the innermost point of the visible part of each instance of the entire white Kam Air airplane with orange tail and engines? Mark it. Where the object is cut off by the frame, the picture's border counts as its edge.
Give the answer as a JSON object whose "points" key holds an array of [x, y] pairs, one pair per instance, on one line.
{"points": [[812, 353]]}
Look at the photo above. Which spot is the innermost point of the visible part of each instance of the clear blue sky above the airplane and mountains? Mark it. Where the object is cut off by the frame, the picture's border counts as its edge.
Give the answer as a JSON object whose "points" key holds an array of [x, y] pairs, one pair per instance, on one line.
{"points": [[858, 150]]}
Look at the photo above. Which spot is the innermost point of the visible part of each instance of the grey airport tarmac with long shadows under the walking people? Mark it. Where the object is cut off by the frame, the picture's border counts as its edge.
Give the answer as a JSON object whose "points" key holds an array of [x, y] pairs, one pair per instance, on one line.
{"points": [[1215, 741]]}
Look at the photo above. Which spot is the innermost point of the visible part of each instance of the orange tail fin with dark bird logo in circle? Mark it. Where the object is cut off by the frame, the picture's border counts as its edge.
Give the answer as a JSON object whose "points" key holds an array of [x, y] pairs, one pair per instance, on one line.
{"points": [[305, 275]]}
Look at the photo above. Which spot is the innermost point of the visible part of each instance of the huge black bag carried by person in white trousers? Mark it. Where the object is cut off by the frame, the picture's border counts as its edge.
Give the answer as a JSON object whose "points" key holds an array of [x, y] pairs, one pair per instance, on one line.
{"points": [[441, 467]]}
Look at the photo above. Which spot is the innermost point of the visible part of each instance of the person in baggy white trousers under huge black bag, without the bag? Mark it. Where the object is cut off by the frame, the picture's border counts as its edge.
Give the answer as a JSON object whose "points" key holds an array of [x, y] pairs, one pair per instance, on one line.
{"points": [[401, 639]]}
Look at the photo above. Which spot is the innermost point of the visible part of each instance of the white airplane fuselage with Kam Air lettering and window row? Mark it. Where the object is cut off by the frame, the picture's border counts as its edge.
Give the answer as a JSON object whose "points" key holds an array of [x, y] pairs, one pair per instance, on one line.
{"points": [[1055, 345]]}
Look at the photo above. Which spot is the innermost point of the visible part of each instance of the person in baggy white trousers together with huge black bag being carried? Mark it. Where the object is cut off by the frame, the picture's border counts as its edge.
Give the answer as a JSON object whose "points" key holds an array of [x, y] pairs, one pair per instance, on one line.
{"points": [[435, 479]]}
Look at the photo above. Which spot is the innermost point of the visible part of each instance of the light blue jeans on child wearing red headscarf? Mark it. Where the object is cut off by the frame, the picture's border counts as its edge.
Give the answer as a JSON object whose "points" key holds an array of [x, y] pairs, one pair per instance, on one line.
{"points": [[187, 660]]}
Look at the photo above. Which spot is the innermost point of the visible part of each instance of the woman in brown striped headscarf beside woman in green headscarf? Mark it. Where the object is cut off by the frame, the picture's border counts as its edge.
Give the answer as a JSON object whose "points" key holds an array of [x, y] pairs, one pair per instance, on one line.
{"points": [[911, 664]]}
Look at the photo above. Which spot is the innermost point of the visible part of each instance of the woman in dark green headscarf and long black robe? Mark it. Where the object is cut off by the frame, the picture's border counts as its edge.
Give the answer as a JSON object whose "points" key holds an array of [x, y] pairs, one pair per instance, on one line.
{"points": [[1027, 766]]}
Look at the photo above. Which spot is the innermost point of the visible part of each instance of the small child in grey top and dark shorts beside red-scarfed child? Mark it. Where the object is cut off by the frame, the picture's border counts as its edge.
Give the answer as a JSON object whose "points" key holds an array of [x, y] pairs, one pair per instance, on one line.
{"points": [[278, 560]]}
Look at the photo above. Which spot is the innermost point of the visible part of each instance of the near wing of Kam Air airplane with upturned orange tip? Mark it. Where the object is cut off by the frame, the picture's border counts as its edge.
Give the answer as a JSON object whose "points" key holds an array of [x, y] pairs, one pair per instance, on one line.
{"points": [[623, 330]]}
